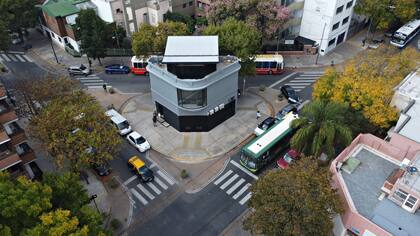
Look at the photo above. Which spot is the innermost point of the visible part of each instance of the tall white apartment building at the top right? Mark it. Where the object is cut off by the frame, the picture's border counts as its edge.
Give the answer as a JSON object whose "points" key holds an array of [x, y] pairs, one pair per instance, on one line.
{"points": [[326, 22]]}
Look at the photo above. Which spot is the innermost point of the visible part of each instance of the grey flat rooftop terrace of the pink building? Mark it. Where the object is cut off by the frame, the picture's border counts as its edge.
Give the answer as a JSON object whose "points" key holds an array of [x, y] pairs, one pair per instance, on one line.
{"points": [[364, 185]]}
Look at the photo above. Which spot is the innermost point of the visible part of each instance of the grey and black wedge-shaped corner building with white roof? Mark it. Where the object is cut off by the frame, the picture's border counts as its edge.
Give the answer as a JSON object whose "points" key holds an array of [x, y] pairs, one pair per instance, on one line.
{"points": [[193, 87]]}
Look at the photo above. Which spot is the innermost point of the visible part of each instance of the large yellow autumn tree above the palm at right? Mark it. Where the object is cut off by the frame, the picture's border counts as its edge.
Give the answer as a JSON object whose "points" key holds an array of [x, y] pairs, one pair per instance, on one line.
{"points": [[366, 83]]}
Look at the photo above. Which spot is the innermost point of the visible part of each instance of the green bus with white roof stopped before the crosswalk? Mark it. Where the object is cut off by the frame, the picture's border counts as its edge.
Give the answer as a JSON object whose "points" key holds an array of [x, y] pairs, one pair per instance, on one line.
{"points": [[261, 150]]}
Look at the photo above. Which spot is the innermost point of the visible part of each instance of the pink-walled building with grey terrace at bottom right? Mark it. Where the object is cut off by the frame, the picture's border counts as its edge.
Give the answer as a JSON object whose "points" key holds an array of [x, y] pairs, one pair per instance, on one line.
{"points": [[379, 183]]}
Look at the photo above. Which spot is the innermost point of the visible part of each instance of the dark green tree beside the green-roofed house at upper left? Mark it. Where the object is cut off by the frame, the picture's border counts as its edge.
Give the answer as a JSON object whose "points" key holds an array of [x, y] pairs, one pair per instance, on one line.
{"points": [[91, 30]]}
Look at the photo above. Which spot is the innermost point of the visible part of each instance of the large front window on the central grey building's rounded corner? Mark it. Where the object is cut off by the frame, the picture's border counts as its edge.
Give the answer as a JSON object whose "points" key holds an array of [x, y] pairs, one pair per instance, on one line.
{"points": [[192, 99]]}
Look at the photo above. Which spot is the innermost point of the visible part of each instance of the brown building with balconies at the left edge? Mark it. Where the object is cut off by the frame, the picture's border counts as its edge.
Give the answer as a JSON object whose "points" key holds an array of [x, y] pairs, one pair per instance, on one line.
{"points": [[16, 156]]}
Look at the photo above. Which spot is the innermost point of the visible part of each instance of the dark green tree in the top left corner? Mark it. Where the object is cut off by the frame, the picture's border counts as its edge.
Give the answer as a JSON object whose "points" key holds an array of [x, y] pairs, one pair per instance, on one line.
{"points": [[18, 14]]}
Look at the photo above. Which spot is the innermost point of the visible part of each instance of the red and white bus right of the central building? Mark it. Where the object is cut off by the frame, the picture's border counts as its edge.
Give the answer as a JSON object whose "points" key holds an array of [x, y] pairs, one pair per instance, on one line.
{"points": [[269, 64]]}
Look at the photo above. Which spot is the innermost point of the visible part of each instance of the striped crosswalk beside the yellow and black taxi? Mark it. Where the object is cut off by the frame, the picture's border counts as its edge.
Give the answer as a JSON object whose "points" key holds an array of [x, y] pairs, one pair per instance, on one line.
{"points": [[144, 193]]}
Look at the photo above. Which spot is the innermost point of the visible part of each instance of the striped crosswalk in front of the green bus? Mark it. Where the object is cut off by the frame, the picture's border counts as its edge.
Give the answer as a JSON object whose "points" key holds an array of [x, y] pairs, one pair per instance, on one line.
{"points": [[234, 186]]}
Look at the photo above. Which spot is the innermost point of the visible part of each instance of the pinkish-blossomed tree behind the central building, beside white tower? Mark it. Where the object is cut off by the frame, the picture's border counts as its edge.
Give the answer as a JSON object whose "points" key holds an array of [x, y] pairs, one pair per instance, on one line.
{"points": [[264, 15]]}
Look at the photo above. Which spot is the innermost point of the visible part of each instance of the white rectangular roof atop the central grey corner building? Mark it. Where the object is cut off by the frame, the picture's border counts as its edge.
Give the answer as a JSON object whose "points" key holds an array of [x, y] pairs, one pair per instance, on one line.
{"points": [[181, 49]]}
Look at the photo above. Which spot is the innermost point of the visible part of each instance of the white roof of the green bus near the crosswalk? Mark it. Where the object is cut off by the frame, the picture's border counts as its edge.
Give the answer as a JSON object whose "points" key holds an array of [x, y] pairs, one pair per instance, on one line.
{"points": [[272, 134]]}
